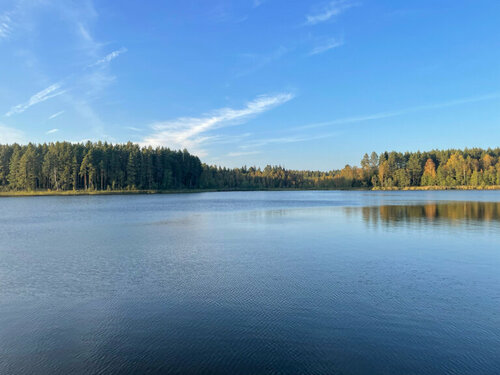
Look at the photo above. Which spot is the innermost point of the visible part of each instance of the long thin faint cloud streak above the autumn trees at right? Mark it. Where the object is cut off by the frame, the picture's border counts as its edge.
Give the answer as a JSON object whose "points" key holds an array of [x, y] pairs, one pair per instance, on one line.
{"points": [[401, 112]]}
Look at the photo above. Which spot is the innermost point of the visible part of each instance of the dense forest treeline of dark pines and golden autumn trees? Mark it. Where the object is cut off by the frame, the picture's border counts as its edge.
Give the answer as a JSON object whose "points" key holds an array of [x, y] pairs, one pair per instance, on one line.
{"points": [[64, 166]]}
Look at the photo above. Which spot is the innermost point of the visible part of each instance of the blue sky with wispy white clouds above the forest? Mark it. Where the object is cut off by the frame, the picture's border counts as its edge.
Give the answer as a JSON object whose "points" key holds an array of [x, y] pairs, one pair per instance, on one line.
{"points": [[302, 84]]}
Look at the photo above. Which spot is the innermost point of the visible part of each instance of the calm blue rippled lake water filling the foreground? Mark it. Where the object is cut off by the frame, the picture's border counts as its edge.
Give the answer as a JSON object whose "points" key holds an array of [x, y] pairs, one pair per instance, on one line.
{"points": [[251, 283]]}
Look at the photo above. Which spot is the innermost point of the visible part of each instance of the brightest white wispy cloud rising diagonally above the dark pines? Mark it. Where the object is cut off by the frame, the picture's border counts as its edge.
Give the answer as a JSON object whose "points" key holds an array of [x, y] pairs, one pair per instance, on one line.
{"points": [[190, 132]]}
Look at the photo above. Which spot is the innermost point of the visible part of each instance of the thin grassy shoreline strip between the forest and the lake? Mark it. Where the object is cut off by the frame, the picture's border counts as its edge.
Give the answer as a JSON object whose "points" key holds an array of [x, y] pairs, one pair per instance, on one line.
{"points": [[41, 193]]}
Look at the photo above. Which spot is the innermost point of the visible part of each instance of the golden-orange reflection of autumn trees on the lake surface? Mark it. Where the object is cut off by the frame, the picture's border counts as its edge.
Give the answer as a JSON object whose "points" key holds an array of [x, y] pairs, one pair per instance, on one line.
{"points": [[459, 211]]}
